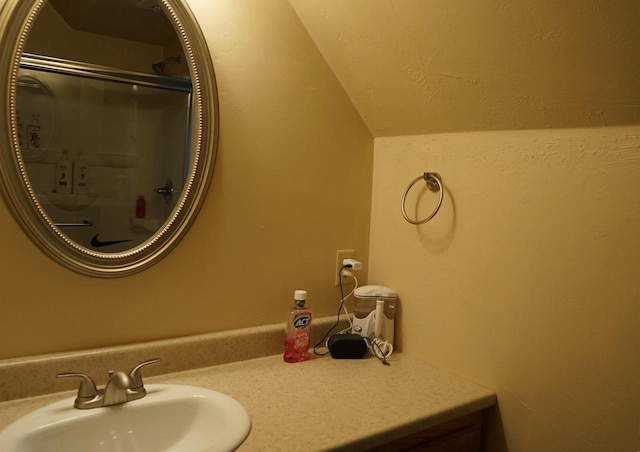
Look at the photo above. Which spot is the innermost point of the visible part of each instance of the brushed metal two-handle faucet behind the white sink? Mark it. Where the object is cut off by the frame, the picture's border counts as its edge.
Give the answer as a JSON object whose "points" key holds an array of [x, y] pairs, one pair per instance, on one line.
{"points": [[122, 387]]}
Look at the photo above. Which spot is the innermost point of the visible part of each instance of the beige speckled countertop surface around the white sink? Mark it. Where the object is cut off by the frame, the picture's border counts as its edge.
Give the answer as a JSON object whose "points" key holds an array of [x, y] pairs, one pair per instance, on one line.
{"points": [[322, 403]]}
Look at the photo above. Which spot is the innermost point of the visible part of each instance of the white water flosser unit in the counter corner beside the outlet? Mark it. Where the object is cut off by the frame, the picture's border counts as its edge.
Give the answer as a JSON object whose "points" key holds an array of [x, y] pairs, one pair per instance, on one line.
{"points": [[375, 312]]}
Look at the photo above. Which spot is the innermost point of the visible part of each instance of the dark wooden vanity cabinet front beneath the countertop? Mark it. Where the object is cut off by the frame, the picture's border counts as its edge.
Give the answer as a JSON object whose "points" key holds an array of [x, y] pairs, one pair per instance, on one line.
{"points": [[463, 434]]}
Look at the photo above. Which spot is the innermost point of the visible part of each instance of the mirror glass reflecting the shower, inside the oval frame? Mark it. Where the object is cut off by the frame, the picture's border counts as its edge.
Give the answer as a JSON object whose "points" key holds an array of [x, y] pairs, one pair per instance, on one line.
{"points": [[103, 111]]}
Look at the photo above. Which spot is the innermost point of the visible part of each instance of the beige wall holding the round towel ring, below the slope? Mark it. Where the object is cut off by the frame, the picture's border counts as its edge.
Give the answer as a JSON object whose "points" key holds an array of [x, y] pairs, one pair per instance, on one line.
{"points": [[526, 281]]}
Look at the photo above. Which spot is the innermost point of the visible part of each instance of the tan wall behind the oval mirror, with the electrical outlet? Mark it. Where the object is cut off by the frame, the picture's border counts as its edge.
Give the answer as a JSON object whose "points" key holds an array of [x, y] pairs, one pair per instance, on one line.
{"points": [[291, 186]]}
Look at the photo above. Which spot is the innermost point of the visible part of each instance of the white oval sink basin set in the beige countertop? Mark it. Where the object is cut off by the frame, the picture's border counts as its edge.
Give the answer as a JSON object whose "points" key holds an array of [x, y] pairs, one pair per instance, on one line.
{"points": [[170, 418]]}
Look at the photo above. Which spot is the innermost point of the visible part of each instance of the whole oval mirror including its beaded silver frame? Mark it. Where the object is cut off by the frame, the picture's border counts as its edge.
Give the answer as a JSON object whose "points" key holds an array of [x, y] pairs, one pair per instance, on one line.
{"points": [[110, 133]]}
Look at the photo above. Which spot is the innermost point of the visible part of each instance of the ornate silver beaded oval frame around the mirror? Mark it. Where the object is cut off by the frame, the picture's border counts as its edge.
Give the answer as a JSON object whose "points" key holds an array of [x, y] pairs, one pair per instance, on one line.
{"points": [[16, 20]]}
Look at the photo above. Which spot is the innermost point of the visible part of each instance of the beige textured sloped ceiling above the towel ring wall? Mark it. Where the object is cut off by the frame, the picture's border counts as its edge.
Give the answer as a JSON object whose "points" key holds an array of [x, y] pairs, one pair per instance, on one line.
{"points": [[427, 66]]}
